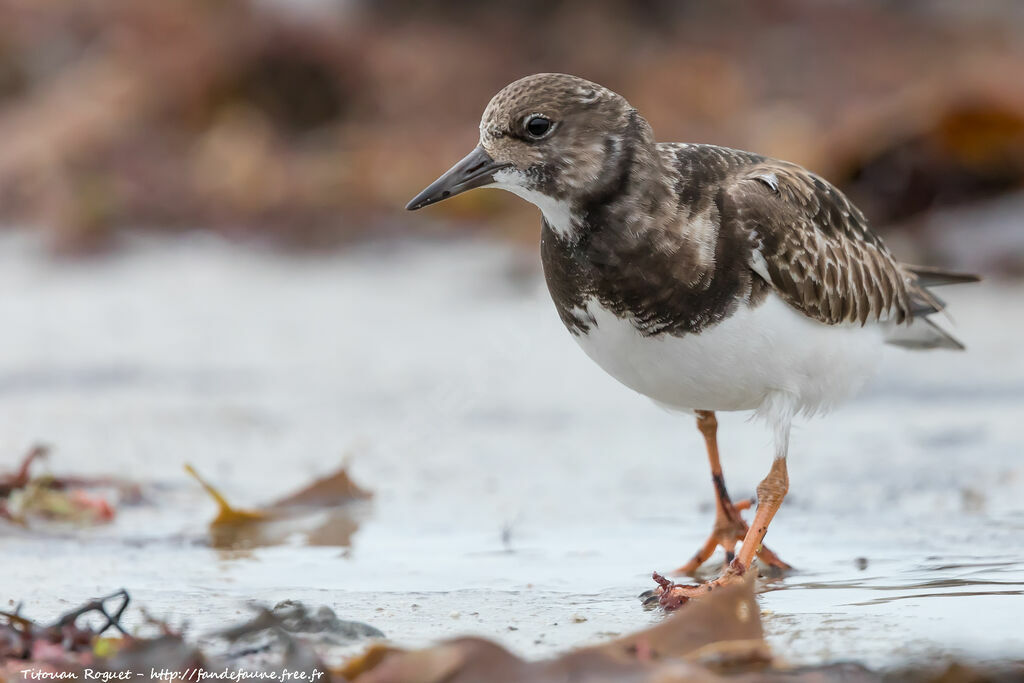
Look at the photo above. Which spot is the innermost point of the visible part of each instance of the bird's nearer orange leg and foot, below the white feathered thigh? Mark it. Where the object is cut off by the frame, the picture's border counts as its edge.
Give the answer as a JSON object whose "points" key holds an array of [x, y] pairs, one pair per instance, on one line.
{"points": [[771, 494]]}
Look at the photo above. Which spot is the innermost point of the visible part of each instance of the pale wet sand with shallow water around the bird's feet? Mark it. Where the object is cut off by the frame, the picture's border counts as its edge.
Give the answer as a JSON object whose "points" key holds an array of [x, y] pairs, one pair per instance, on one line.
{"points": [[520, 493]]}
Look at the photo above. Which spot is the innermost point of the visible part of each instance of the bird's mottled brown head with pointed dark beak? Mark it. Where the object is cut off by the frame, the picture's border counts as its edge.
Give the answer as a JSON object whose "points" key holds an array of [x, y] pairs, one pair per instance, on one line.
{"points": [[554, 140]]}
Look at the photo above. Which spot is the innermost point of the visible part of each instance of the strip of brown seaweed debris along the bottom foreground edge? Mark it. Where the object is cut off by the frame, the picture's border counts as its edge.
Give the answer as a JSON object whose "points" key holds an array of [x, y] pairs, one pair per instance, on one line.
{"points": [[716, 639]]}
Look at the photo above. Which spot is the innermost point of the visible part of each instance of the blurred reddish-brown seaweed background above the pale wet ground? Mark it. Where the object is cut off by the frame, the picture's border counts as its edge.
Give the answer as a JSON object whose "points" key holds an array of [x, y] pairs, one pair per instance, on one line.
{"points": [[312, 122]]}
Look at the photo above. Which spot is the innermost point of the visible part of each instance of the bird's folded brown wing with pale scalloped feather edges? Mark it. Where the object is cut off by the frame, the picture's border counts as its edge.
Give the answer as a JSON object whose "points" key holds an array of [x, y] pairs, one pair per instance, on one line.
{"points": [[816, 248]]}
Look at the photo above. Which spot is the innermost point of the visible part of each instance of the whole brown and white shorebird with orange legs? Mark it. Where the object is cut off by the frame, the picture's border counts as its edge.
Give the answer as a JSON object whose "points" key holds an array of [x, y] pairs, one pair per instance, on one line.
{"points": [[705, 278]]}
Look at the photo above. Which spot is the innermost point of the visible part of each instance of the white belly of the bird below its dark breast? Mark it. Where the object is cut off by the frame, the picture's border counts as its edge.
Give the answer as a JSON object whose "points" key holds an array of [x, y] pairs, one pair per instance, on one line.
{"points": [[738, 364]]}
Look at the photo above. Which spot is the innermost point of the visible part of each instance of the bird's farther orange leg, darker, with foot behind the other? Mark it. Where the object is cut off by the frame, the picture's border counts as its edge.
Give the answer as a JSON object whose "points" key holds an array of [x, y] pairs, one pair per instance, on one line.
{"points": [[730, 526]]}
